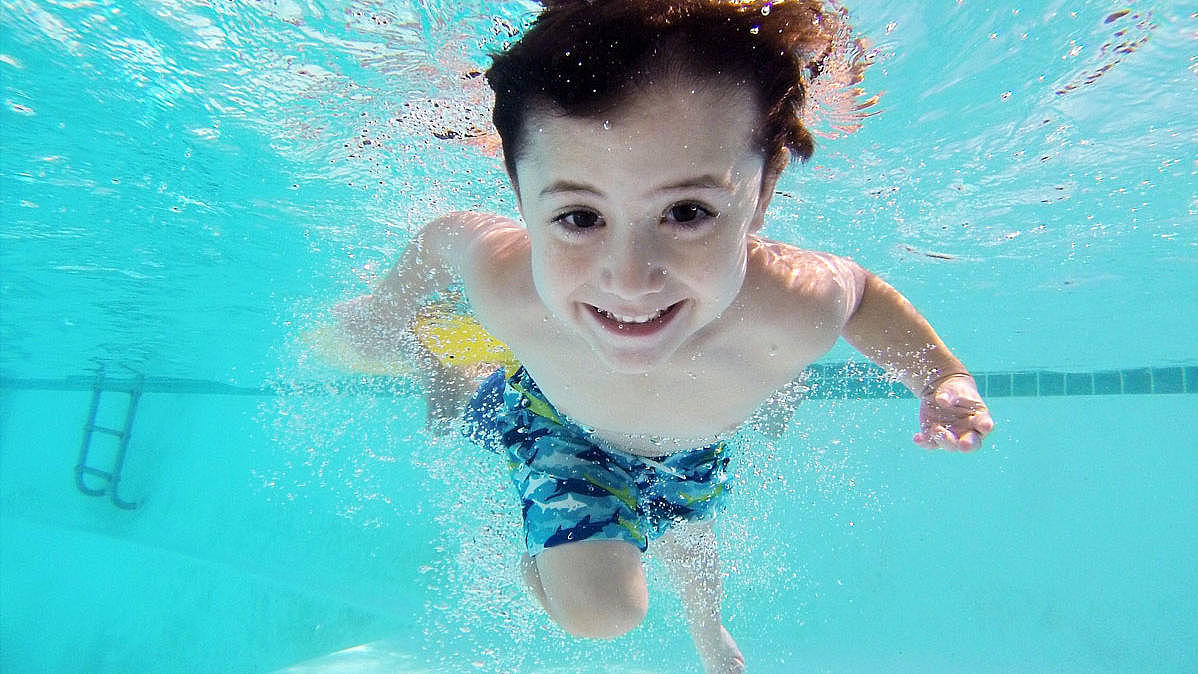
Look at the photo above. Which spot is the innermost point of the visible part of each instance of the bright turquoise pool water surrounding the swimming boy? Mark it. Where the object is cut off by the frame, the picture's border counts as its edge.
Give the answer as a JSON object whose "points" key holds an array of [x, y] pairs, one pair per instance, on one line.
{"points": [[186, 187]]}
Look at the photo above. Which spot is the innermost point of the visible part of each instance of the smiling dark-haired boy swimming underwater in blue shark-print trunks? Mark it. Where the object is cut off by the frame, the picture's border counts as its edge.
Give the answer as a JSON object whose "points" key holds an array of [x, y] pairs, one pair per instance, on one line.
{"points": [[644, 141]]}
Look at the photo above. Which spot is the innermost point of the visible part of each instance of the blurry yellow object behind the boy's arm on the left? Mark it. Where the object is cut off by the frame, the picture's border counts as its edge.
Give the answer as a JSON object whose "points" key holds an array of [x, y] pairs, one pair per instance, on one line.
{"points": [[457, 339]]}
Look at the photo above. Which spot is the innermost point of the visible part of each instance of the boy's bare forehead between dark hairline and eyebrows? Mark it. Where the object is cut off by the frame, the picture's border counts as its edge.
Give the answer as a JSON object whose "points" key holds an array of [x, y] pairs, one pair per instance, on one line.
{"points": [[669, 129]]}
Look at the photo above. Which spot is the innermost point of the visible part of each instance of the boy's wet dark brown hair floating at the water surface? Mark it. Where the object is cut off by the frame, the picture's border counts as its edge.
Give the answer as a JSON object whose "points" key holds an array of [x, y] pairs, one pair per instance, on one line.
{"points": [[586, 57]]}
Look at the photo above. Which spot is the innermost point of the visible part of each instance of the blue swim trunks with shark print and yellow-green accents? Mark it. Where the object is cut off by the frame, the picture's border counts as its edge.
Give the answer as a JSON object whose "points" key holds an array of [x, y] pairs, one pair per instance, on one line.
{"points": [[571, 489]]}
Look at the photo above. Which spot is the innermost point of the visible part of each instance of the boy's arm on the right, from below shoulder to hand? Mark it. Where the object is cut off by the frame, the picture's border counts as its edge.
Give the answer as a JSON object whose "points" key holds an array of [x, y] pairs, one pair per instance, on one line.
{"points": [[888, 330]]}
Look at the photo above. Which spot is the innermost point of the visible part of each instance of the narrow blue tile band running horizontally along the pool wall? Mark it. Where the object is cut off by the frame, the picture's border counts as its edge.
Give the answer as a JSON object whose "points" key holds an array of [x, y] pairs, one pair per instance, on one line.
{"points": [[851, 380]]}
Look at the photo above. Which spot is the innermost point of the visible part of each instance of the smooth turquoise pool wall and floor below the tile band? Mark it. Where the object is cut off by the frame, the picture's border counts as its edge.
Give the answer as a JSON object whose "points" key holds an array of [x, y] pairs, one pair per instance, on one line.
{"points": [[1067, 545]]}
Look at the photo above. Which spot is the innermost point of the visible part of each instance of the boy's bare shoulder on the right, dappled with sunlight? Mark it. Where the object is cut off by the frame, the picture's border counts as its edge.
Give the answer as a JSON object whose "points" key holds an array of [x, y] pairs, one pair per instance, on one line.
{"points": [[795, 287]]}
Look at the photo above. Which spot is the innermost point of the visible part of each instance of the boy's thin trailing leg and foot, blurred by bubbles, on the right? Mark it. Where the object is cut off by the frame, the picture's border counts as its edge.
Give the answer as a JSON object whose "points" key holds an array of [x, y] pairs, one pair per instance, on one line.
{"points": [[688, 551]]}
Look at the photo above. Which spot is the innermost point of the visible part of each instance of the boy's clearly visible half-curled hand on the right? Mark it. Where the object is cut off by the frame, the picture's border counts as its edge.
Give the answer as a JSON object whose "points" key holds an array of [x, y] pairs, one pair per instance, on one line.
{"points": [[953, 416]]}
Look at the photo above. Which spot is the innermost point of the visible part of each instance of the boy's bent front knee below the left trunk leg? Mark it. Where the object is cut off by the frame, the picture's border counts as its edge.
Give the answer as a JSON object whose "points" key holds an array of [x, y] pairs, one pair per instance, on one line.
{"points": [[590, 588]]}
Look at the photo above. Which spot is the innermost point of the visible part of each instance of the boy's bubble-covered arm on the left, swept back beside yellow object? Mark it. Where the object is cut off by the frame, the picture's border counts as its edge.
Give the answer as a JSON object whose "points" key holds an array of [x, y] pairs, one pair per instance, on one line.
{"points": [[377, 325]]}
